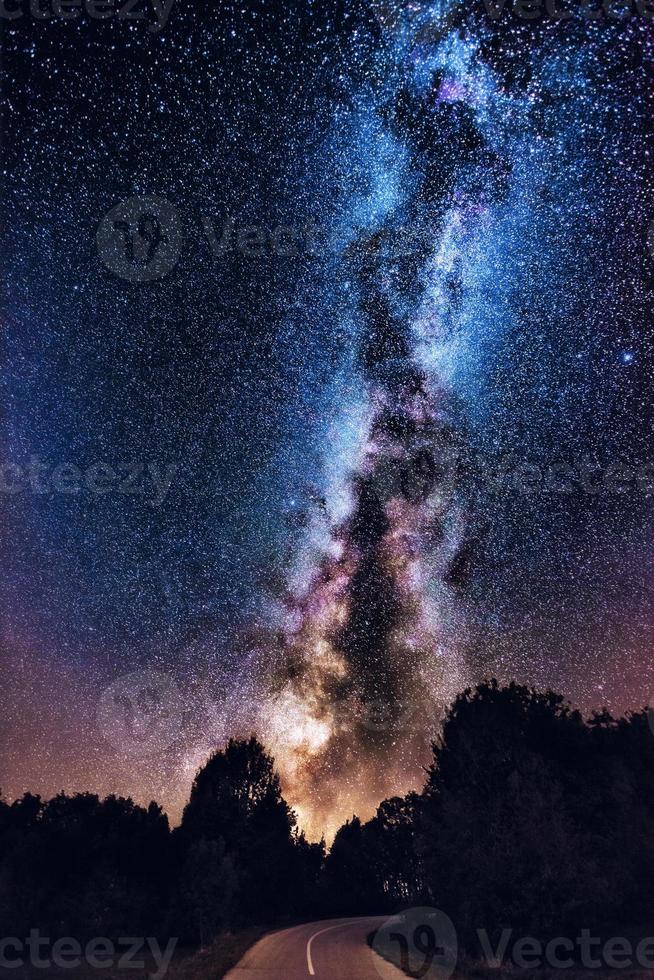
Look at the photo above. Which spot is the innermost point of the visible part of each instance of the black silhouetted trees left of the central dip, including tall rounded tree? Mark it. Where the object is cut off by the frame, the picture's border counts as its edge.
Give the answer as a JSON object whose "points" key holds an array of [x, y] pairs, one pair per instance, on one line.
{"points": [[84, 867]]}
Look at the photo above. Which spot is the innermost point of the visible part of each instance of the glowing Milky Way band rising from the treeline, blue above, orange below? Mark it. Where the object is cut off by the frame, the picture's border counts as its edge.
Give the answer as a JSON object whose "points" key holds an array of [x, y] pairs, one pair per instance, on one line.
{"points": [[378, 637]]}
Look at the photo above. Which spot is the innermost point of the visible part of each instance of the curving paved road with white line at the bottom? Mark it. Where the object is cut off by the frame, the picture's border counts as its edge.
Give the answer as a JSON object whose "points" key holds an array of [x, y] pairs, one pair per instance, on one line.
{"points": [[335, 949]]}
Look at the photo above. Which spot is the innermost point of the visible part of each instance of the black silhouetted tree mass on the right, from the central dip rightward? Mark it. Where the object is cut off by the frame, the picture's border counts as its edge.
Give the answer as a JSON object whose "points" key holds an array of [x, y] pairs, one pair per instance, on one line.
{"points": [[531, 819]]}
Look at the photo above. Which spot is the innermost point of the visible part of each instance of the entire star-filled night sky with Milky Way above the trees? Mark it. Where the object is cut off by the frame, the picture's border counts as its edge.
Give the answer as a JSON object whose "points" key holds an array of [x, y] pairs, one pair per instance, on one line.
{"points": [[375, 423]]}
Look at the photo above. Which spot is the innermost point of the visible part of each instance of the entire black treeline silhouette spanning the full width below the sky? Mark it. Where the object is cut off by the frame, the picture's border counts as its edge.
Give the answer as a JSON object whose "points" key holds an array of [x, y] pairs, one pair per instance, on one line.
{"points": [[531, 818]]}
